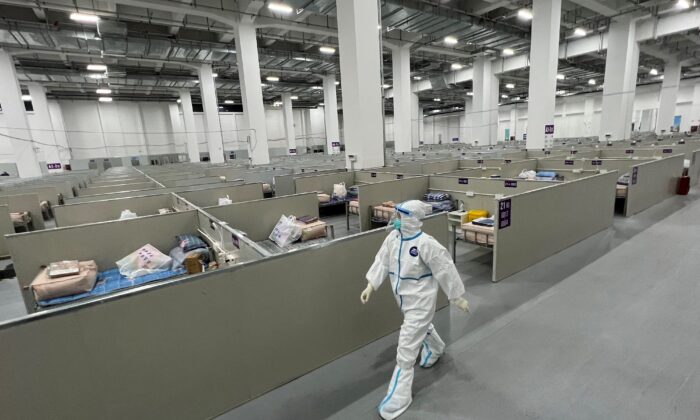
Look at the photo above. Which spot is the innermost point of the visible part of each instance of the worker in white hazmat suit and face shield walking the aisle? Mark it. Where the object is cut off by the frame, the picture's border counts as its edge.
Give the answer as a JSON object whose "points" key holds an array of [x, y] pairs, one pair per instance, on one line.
{"points": [[416, 265]]}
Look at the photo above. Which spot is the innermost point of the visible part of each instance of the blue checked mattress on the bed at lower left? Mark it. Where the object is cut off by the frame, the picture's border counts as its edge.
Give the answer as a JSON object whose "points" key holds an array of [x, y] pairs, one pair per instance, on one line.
{"points": [[111, 281]]}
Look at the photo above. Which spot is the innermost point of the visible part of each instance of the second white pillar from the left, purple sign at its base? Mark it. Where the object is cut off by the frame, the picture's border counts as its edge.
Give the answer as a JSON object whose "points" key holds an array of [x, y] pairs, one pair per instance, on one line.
{"points": [[43, 131]]}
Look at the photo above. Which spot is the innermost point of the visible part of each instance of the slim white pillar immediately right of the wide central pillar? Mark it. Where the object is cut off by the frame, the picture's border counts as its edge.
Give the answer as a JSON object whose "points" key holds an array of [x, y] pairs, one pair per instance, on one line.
{"points": [[401, 66]]}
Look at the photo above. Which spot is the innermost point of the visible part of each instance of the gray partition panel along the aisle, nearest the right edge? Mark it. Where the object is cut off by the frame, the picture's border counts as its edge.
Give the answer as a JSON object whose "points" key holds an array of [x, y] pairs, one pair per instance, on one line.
{"points": [[655, 182]]}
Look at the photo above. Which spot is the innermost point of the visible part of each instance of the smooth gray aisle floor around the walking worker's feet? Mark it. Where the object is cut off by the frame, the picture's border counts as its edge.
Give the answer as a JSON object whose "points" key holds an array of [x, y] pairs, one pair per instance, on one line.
{"points": [[606, 329]]}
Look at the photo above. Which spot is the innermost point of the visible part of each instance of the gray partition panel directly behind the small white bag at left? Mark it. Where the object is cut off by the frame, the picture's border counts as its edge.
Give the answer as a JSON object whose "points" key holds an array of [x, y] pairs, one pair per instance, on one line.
{"points": [[104, 210]]}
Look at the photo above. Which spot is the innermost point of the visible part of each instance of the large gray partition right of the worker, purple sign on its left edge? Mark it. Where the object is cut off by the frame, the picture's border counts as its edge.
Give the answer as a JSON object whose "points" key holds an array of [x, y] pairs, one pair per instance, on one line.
{"points": [[546, 221]]}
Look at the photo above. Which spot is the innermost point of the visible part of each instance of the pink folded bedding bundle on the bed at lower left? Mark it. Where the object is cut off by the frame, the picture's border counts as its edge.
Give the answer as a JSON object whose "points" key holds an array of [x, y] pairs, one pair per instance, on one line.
{"points": [[46, 287]]}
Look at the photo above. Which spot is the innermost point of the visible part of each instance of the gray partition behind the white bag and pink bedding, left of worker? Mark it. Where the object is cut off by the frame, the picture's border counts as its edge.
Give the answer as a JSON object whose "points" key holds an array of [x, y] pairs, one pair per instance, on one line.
{"points": [[258, 218]]}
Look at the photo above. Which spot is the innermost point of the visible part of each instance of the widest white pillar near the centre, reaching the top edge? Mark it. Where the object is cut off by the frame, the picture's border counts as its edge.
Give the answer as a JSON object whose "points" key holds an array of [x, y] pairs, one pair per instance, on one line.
{"points": [[360, 67]]}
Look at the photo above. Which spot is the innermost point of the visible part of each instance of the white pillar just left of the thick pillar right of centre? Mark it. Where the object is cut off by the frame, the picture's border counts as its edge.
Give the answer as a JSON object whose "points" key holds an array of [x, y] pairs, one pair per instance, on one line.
{"points": [[483, 117]]}
